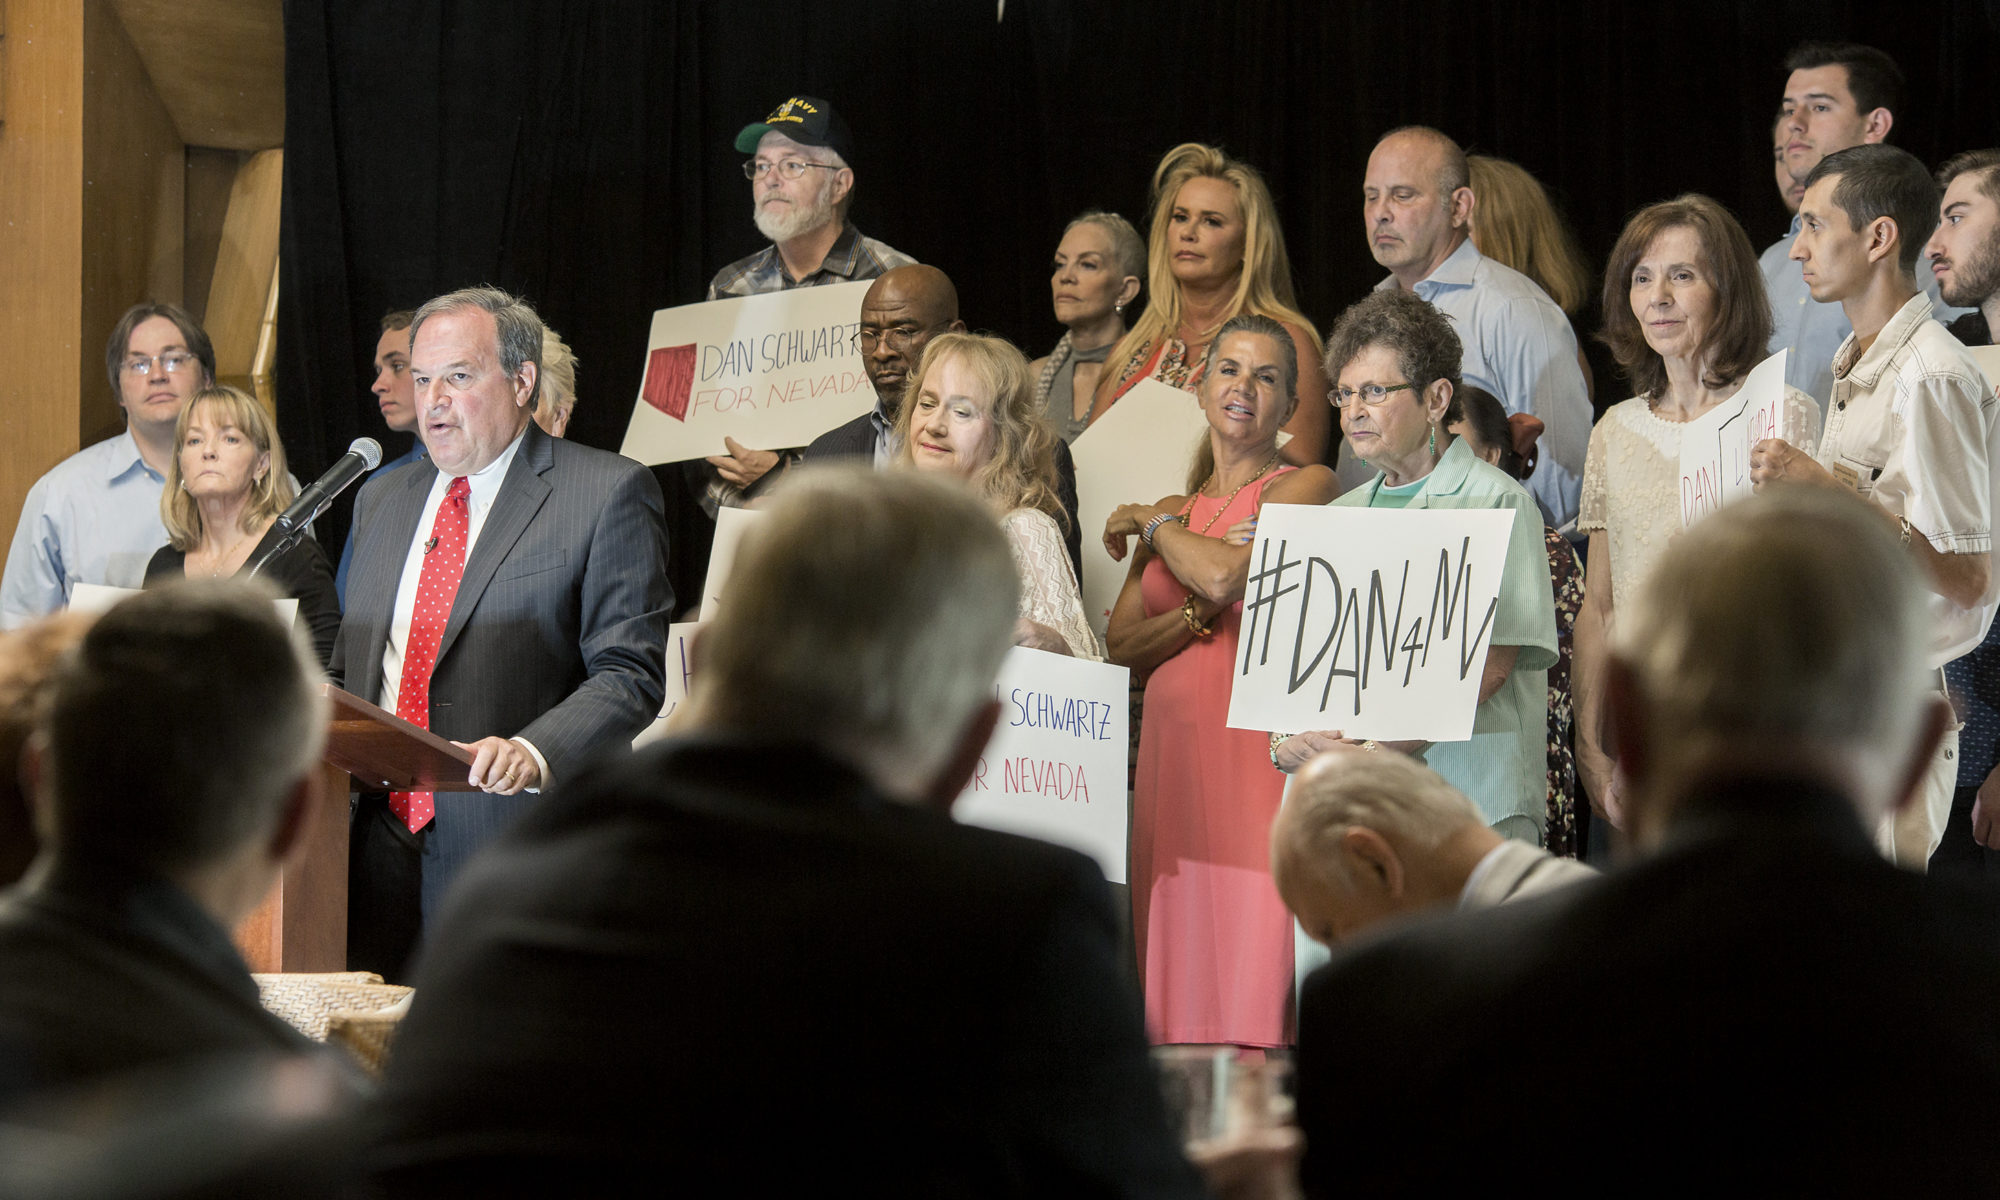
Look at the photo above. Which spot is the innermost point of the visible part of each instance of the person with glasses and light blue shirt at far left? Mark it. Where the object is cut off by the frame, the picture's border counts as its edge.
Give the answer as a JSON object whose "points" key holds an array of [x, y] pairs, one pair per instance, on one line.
{"points": [[95, 519]]}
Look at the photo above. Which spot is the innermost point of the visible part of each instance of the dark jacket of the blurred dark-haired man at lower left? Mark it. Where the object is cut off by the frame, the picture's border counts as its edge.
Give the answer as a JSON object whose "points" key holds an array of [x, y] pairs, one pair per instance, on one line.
{"points": [[105, 973]]}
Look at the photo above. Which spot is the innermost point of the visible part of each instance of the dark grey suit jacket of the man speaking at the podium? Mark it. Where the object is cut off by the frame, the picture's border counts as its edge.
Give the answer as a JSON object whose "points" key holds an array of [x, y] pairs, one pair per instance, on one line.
{"points": [[559, 631]]}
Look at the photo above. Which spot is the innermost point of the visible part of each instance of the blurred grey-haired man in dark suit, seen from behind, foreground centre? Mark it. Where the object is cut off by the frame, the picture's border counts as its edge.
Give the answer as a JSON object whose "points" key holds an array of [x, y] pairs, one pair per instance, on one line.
{"points": [[761, 957]]}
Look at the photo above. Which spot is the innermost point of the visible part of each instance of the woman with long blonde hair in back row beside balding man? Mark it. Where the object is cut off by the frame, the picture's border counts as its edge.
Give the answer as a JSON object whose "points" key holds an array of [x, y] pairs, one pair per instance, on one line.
{"points": [[1215, 253]]}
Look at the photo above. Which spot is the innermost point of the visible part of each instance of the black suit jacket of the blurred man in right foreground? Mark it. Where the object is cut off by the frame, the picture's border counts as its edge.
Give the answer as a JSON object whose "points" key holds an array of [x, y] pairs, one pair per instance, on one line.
{"points": [[1767, 1007]]}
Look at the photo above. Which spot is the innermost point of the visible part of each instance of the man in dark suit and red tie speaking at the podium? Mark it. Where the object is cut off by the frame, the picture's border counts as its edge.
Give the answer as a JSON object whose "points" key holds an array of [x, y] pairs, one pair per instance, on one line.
{"points": [[509, 593]]}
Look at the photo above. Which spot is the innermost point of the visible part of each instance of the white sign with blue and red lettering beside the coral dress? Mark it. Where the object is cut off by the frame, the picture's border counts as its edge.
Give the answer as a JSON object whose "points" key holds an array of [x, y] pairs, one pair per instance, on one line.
{"points": [[1057, 763]]}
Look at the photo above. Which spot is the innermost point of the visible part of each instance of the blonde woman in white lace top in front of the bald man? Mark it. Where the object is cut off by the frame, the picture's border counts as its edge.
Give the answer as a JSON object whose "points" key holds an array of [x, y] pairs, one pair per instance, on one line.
{"points": [[969, 411]]}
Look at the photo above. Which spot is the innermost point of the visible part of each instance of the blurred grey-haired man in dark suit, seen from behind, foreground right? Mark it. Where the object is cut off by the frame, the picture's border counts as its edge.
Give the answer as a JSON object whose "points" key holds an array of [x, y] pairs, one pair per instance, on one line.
{"points": [[1761, 1005]]}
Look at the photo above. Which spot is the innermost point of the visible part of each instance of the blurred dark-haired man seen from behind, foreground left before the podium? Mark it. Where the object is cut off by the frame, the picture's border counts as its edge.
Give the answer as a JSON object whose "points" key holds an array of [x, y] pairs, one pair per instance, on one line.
{"points": [[173, 777]]}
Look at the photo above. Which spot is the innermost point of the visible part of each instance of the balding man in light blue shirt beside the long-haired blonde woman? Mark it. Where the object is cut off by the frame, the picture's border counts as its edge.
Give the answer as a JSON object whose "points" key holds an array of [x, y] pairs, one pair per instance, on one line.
{"points": [[1417, 205]]}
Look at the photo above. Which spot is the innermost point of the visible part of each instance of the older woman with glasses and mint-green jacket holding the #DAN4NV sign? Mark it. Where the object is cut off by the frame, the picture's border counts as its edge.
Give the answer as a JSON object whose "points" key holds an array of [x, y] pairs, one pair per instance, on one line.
{"points": [[1395, 369]]}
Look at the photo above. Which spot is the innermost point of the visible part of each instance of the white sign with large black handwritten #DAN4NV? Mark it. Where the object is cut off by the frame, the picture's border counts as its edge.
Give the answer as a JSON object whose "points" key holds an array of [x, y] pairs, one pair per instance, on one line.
{"points": [[1369, 621]]}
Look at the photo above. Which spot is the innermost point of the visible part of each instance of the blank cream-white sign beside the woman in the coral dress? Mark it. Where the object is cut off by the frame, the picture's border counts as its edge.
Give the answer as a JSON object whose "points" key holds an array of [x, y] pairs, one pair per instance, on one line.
{"points": [[1133, 455]]}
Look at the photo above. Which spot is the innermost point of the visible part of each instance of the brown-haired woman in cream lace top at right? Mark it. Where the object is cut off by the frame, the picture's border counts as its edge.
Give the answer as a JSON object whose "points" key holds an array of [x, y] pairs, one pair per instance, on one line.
{"points": [[1687, 319]]}
